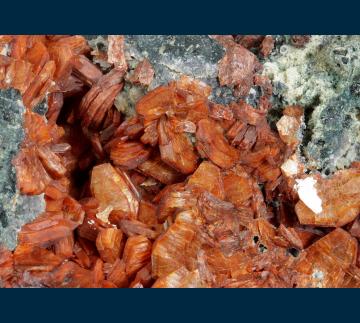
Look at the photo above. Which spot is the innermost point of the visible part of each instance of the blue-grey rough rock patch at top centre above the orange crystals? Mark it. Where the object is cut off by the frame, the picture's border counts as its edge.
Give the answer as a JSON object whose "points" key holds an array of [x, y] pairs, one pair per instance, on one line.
{"points": [[171, 56]]}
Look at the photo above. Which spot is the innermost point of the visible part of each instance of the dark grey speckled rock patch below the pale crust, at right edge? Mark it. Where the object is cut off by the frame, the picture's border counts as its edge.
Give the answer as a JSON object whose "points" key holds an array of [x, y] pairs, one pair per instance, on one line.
{"points": [[335, 134]]}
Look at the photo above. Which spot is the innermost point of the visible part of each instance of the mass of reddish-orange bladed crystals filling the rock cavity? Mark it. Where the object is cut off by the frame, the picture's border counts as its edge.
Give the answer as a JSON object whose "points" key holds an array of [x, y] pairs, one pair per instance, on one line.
{"points": [[187, 193]]}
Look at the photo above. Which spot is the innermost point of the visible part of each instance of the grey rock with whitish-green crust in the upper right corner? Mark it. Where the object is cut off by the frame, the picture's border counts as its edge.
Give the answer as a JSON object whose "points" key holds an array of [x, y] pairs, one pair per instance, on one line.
{"points": [[323, 77]]}
